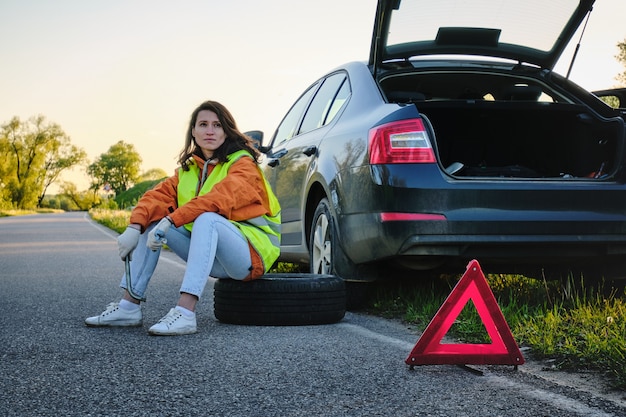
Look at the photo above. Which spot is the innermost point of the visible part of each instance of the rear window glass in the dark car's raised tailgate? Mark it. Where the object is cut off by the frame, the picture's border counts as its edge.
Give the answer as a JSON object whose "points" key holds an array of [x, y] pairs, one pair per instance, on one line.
{"points": [[530, 31]]}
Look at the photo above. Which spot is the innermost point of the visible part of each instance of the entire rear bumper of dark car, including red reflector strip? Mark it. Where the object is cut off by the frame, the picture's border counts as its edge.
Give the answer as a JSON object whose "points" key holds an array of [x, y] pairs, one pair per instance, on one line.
{"points": [[499, 222]]}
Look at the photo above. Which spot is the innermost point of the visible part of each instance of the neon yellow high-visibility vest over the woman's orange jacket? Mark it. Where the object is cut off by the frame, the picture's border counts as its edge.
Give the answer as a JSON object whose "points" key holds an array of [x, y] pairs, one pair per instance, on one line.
{"points": [[262, 232]]}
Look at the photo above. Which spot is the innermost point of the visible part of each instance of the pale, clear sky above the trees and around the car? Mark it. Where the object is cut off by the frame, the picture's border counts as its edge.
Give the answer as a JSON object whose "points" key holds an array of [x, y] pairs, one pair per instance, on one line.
{"points": [[134, 70]]}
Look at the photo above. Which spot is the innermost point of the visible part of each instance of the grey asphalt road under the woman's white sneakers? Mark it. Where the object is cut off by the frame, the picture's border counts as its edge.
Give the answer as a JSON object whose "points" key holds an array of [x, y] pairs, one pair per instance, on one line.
{"points": [[57, 269]]}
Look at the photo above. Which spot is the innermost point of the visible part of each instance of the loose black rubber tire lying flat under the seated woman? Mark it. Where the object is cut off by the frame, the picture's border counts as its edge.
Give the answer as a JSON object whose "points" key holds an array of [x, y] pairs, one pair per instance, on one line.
{"points": [[281, 300]]}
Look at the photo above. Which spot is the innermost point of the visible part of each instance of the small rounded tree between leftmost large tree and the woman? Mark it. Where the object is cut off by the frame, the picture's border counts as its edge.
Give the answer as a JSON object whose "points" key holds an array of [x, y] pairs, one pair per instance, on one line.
{"points": [[118, 168]]}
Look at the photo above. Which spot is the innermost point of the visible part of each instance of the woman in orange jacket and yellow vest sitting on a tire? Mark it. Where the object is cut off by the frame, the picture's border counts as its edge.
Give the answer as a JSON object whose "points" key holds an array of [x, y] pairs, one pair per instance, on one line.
{"points": [[217, 212]]}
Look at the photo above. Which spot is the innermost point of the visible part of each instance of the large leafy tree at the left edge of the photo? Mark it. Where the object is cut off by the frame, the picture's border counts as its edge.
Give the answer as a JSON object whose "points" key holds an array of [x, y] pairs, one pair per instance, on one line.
{"points": [[34, 154]]}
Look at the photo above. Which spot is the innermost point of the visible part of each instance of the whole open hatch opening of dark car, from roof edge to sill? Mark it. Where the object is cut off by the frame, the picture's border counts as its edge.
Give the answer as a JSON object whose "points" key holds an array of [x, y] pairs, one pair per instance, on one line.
{"points": [[490, 123]]}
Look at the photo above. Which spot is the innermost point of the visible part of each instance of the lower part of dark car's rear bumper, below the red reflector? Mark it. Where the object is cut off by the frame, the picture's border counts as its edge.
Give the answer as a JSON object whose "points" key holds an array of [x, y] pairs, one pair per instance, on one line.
{"points": [[512, 246]]}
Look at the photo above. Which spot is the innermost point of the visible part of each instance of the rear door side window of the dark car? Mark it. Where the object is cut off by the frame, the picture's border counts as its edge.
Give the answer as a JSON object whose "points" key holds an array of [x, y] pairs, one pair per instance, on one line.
{"points": [[324, 103]]}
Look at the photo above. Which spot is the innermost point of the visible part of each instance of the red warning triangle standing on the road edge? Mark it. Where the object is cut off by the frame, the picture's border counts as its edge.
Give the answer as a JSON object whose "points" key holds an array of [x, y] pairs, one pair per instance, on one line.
{"points": [[502, 350]]}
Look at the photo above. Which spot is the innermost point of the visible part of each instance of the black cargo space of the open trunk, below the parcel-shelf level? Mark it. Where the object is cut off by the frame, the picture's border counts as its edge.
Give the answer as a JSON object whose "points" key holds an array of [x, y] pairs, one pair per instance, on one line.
{"points": [[523, 139]]}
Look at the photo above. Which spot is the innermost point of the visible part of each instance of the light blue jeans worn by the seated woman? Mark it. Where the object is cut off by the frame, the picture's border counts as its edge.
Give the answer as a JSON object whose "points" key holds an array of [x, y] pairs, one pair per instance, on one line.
{"points": [[215, 248]]}
